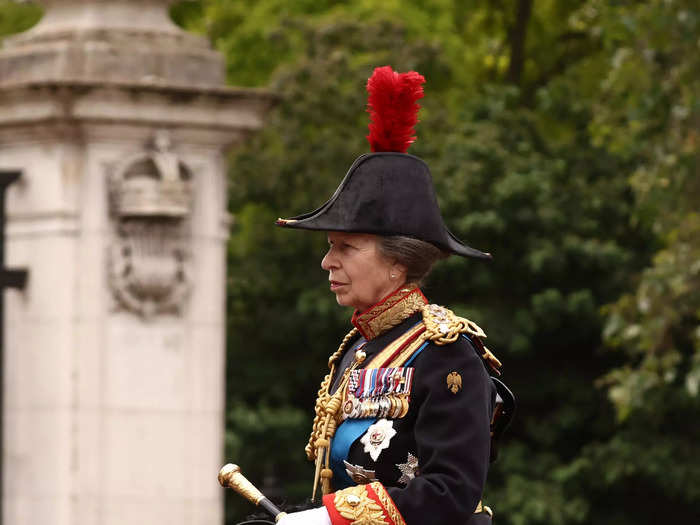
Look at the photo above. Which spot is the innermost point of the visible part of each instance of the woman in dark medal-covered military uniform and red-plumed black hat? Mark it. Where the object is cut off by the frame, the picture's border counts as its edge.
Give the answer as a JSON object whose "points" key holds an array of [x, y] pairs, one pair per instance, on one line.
{"points": [[402, 426]]}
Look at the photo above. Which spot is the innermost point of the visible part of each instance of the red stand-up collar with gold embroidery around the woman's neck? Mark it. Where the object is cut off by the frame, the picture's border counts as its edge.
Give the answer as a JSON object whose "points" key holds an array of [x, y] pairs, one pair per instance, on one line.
{"points": [[390, 311]]}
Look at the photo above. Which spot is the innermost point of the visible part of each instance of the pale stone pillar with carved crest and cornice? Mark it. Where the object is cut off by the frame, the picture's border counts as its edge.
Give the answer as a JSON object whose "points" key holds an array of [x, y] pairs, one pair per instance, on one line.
{"points": [[114, 365]]}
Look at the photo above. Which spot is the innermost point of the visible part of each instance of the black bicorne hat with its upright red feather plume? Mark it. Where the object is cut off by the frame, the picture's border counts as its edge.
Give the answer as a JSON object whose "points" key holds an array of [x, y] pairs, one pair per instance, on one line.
{"points": [[388, 192]]}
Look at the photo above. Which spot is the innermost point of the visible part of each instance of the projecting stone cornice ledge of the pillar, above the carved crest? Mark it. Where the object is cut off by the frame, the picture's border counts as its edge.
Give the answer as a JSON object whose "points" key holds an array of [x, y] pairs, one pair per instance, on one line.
{"points": [[74, 102]]}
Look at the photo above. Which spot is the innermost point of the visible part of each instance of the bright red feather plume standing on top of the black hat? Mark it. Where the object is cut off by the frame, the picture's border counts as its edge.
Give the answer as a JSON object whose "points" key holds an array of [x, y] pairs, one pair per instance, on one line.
{"points": [[393, 108]]}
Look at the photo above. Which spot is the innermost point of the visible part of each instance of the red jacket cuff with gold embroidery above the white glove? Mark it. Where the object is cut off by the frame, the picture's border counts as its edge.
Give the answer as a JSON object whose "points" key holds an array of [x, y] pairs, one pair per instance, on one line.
{"points": [[370, 504]]}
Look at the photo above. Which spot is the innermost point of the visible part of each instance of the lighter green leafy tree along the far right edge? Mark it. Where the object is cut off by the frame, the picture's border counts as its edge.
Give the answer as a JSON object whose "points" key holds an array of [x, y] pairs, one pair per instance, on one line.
{"points": [[653, 118]]}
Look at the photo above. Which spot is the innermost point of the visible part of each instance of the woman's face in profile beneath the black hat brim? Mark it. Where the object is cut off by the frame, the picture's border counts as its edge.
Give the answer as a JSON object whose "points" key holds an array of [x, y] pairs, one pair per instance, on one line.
{"points": [[359, 274]]}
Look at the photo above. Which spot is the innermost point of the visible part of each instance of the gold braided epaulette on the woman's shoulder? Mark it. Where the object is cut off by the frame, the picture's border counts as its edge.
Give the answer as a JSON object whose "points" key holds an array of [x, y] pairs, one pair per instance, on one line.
{"points": [[442, 327]]}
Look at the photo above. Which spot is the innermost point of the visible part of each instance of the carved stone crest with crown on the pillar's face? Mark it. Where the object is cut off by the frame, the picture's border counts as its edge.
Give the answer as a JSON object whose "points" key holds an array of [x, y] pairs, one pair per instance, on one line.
{"points": [[151, 201]]}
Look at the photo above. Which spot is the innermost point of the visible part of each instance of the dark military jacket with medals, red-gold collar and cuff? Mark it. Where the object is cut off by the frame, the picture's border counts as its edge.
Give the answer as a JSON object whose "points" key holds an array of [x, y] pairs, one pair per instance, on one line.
{"points": [[429, 464]]}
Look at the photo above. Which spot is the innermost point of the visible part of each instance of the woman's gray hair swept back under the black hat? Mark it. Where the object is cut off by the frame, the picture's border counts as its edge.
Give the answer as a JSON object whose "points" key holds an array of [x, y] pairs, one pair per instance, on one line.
{"points": [[417, 256]]}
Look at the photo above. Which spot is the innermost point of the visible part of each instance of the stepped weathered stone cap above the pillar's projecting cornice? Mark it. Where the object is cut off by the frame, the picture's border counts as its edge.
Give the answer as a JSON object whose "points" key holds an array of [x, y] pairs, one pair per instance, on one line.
{"points": [[109, 41]]}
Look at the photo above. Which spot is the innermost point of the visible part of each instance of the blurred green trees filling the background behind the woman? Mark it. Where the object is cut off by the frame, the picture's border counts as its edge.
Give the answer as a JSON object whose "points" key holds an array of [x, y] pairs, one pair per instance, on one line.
{"points": [[563, 138]]}
